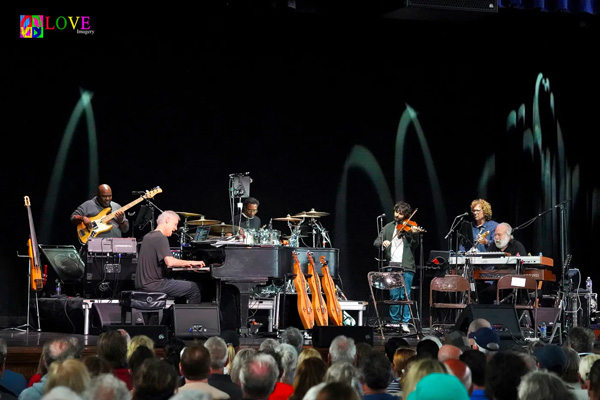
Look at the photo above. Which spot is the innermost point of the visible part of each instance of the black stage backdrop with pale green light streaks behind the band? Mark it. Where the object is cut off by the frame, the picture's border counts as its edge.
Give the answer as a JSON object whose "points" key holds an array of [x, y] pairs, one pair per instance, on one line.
{"points": [[182, 99]]}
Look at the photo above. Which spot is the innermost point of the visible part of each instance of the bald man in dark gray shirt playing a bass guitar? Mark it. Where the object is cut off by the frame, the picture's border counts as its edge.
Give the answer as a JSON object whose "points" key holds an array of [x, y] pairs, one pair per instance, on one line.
{"points": [[91, 208]]}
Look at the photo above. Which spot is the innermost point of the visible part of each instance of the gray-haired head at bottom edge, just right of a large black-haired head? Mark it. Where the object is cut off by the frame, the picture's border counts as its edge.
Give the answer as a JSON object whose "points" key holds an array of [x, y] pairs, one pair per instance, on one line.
{"points": [[543, 385]]}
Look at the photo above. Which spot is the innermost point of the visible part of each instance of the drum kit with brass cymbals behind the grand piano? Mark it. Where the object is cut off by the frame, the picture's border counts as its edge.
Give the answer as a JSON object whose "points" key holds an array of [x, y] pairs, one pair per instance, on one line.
{"points": [[211, 229]]}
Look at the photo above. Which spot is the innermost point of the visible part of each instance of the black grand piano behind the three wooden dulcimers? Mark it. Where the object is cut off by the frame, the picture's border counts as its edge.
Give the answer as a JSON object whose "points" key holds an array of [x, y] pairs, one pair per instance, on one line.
{"points": [[247, 266]]}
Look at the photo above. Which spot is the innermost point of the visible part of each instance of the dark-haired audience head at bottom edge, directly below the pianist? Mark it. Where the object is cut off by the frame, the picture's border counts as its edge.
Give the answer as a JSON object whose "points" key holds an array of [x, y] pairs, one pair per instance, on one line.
{"points": [[156, 379]]}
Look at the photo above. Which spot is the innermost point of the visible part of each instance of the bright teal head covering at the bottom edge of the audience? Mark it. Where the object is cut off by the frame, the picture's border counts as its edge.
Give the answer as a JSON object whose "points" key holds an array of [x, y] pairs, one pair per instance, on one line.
{"points": [[439, 386]]}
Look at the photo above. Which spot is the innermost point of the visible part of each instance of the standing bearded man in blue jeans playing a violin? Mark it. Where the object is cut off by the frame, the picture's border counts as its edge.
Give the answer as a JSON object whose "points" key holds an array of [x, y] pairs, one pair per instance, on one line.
{"points": [[398, 241]]}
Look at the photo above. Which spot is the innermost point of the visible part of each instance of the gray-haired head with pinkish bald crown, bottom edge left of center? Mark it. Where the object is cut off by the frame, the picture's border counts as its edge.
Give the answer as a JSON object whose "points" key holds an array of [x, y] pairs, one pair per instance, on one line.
{"points": [[258, 376]]}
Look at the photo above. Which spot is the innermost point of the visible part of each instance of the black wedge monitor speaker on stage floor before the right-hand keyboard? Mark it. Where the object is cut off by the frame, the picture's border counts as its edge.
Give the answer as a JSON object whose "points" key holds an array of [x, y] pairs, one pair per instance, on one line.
{"points": [[503, 317]]}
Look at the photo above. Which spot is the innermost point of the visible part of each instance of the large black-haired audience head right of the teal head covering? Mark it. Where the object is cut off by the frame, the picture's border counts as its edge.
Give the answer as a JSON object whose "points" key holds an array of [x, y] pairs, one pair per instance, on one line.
{"points": [[503, 375]]}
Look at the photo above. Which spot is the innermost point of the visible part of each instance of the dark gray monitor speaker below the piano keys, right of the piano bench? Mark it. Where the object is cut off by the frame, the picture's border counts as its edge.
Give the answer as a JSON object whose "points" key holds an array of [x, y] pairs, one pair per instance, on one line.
{"points": [[193, 321]]}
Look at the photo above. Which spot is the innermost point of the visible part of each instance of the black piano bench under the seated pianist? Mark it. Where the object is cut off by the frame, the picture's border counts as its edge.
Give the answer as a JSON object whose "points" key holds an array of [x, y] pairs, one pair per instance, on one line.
{"points": [[149, 304]]}
